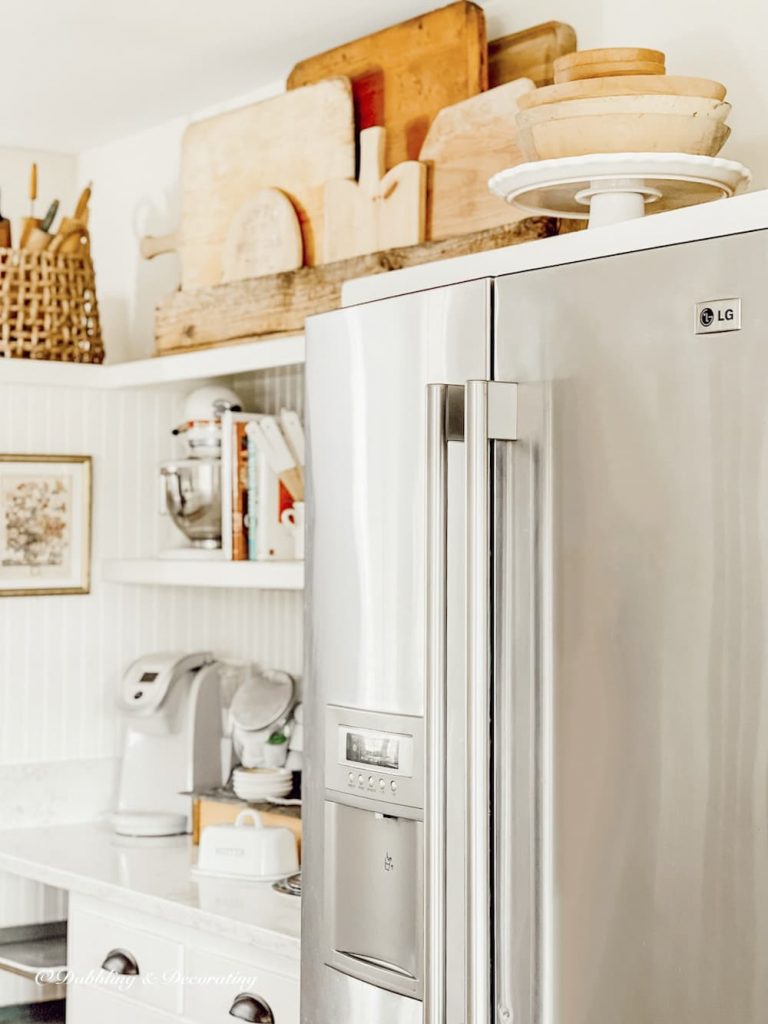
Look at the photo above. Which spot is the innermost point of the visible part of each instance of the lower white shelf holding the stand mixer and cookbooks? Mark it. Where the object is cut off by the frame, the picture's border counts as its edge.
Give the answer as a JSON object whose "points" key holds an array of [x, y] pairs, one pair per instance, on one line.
{"points": [[205, 573]]}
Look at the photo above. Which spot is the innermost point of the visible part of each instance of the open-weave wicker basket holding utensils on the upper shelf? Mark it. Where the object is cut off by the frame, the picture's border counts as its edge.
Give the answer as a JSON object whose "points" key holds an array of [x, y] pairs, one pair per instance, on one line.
{"points": [[49, 308]]}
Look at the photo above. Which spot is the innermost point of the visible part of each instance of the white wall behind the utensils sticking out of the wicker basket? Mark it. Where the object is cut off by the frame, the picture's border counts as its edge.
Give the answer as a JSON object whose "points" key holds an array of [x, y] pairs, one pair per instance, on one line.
{"points": [[58, 179]]}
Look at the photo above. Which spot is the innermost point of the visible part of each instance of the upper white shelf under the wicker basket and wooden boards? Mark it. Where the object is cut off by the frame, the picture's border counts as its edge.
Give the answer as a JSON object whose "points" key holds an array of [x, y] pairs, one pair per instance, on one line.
{"points": [[163, 371]]}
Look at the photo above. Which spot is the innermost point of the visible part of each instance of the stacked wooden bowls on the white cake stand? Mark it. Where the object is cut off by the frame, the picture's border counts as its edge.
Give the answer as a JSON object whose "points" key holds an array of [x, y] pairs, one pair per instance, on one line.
{"points": [[622, 101]]}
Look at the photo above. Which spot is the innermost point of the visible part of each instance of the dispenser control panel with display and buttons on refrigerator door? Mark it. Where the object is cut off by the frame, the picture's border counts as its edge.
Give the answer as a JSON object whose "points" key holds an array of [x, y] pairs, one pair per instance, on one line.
{"points": [[375, 756]]}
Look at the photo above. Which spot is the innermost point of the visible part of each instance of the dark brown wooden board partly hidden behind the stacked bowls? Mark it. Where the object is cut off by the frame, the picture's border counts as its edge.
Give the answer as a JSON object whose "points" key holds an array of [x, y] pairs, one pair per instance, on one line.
{"points": [[530, 54]]}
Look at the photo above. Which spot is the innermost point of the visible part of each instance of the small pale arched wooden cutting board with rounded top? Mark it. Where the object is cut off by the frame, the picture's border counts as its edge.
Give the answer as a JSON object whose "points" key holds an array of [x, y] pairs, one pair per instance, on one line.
{"points": [[265, 238]]}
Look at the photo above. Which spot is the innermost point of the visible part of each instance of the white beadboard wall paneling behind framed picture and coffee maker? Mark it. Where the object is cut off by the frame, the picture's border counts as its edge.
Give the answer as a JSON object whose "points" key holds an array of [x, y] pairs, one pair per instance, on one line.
{"points": [[62, 658]]}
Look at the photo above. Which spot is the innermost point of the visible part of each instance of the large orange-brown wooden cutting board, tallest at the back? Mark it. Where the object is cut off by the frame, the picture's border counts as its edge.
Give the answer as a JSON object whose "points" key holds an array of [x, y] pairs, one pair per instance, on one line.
{"points": [[404, 75]]}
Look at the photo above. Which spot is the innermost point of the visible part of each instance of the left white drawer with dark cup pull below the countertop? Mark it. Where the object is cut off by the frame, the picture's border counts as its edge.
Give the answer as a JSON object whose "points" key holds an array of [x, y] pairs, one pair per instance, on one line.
{"points": [[160, 962]]}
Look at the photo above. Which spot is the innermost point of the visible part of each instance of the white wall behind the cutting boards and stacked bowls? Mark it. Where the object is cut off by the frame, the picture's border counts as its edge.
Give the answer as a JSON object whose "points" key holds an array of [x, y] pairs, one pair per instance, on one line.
{"points": [[137, 180]]}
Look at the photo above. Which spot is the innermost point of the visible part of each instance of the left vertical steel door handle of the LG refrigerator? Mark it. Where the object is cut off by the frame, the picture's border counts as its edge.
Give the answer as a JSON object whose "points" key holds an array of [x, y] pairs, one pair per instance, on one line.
{"points": [[445, 423]]}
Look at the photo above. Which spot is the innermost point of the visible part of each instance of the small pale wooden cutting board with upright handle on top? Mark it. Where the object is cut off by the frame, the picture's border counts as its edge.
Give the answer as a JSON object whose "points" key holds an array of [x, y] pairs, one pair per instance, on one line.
{"points": [[381, 210]]}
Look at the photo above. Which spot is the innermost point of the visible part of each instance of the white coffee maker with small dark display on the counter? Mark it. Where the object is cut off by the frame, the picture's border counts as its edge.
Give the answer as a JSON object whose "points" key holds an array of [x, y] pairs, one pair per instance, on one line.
{"points": [[172, 708]]}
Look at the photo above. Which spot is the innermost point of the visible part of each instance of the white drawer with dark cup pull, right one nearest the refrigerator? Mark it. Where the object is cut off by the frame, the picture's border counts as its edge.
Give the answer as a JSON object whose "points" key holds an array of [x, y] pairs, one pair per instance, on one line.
{"points": [[212, 985]]}
